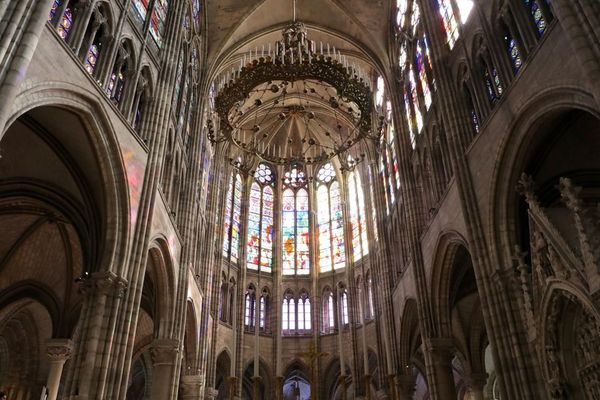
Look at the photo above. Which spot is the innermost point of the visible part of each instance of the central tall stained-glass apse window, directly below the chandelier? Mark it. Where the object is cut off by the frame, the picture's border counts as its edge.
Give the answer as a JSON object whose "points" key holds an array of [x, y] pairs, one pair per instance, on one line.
{"points": [[295, 225]]}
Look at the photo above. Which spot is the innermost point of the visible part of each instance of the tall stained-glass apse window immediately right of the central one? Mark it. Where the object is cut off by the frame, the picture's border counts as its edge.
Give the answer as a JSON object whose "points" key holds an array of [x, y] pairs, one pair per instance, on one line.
{"points": [[330, 234]]}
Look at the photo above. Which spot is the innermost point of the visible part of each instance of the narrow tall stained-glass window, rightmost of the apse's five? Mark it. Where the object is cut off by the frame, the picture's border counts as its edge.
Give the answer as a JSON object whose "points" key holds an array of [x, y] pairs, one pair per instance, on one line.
{"points": [[360, 242]]}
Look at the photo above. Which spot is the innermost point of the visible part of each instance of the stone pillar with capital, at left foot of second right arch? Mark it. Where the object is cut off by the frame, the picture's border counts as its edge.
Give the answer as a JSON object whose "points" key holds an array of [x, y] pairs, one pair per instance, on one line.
{"points": [[440, 377]]}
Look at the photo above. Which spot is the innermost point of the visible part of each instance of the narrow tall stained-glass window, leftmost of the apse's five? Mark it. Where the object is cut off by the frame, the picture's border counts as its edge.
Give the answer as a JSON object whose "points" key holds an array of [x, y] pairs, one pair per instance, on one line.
{"points": [[231, 224]]}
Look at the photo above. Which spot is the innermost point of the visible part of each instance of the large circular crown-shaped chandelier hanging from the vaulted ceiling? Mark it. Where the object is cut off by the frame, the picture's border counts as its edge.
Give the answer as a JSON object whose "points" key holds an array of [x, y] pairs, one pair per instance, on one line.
{"points": [[293, 102]]}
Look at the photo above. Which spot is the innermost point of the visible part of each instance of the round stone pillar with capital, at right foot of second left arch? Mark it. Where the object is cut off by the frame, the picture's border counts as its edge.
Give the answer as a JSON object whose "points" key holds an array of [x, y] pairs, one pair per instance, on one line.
{"points": [[164, 358]]}
